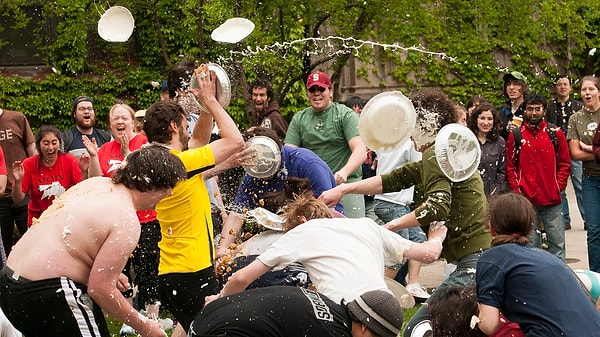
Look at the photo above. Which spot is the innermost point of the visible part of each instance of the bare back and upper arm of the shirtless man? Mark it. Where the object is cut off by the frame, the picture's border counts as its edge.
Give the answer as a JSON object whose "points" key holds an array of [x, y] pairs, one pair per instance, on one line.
{"points": [[67, 238]]}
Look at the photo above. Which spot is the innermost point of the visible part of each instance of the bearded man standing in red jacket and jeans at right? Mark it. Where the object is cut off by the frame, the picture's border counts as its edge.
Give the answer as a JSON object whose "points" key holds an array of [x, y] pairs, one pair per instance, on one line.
{"points": [[538, 166]]}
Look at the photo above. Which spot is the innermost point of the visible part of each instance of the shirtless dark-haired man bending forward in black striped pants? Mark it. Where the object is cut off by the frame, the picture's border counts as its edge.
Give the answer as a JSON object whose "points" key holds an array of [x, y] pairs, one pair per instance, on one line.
{"points": [[66, 269]]}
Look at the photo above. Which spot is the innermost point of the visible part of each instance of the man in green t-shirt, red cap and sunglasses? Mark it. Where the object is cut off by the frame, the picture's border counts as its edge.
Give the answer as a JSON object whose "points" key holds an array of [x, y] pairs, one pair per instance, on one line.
{"points": [[330, 130]]}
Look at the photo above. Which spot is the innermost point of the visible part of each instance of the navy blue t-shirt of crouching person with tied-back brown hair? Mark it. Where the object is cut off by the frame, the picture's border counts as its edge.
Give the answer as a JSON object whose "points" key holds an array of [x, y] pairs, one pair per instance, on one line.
{"points": [[535, 289]]}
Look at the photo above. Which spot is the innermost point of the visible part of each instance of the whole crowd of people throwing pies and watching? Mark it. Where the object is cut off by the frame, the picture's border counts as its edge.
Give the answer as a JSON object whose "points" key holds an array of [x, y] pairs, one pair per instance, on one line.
{"points": [[144, 206]]}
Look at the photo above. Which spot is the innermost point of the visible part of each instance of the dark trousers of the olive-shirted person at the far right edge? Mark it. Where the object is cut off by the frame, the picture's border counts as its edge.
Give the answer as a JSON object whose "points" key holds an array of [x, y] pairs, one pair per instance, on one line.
{"points": [[591, 203]]}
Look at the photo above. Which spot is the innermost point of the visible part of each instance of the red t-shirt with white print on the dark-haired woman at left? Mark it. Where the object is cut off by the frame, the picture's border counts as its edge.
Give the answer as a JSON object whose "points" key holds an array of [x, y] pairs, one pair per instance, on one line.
{"points": [[44, 183]]}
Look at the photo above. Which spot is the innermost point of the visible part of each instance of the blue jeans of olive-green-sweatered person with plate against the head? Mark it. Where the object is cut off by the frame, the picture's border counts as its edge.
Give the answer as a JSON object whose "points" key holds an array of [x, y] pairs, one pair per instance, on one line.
{"points": [[464, 275]]}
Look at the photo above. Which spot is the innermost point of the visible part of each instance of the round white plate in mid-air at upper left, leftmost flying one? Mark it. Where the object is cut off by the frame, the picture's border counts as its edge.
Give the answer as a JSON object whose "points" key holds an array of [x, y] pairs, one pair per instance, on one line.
{"points": [[116, 24]]}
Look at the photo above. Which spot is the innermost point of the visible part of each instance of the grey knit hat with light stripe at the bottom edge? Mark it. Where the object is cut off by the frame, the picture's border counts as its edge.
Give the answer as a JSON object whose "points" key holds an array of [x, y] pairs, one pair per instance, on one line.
{"points": [[380, 311]]}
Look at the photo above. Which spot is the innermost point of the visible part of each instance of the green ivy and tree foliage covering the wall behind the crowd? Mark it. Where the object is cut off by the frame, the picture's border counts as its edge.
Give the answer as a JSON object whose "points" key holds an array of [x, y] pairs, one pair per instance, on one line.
{"points": [[461, 46]]}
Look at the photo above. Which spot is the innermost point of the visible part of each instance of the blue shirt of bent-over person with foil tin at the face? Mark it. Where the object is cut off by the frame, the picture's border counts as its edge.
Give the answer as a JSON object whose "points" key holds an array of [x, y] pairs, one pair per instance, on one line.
{"points": [[295, 162]]}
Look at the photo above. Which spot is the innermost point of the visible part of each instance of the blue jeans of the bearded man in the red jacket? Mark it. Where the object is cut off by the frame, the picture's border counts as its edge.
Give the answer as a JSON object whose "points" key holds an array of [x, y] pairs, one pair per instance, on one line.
{"points": [[553, 227]]}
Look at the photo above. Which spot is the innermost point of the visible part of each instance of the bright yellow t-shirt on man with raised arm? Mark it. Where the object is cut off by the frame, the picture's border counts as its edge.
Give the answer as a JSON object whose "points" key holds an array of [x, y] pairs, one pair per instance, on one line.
{"points": [[185, 219]]}
